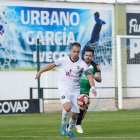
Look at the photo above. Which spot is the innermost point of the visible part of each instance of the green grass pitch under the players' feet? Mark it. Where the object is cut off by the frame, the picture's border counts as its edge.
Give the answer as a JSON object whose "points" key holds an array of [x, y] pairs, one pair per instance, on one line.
{"points": [[115, 125]]}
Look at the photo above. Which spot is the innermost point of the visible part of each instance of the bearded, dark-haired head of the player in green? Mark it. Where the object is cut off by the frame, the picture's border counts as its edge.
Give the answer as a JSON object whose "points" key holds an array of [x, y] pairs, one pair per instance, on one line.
{"points": [[88, 55]]}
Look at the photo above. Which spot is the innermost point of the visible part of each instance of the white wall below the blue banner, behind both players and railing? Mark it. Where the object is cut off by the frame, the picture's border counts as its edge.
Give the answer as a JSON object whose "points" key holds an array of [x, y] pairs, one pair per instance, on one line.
{"points": [[15, 85]]}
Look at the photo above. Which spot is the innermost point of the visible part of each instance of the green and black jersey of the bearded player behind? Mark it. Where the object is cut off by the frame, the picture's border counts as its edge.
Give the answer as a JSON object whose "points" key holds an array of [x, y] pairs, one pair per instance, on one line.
{"points": [[84, 82]]}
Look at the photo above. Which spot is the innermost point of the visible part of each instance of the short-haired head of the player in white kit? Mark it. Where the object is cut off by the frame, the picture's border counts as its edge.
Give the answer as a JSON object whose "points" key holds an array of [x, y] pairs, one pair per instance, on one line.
{"points": [[75, 50]]}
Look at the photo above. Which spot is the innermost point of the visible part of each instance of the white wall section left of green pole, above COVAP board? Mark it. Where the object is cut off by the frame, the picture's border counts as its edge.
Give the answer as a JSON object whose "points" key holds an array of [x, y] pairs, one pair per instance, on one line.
{"points": [[15, 85]]}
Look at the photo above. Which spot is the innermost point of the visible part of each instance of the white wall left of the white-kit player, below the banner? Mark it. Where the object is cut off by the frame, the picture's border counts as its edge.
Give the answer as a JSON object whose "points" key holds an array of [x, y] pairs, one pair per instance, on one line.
{"points": [[15, 85]]}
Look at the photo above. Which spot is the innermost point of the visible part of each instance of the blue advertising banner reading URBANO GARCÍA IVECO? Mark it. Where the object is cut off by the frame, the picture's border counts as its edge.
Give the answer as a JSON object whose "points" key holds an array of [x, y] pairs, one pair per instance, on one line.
{"points": [[56, 29]]}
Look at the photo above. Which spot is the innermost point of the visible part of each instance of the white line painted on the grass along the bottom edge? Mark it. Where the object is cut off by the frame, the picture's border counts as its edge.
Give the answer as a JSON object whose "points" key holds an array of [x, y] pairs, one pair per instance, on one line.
{"points": [[57, 137]]}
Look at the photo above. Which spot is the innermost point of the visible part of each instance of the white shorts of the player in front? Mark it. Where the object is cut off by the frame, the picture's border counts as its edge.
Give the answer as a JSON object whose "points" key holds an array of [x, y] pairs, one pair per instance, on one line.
{"points": [[67, 95]]}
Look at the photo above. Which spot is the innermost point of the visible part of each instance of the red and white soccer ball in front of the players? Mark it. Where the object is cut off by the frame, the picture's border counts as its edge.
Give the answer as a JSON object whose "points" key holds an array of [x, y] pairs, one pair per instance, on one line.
{"points": [[83, 101]]}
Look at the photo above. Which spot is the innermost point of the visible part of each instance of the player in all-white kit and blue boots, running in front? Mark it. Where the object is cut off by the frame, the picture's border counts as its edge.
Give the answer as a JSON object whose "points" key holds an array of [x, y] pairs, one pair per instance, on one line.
{"points": [[70, 68]]}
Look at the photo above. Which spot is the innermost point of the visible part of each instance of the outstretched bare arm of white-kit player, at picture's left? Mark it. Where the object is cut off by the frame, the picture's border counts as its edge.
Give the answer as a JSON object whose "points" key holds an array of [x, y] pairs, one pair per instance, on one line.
{"points": [[47, 68]]}
